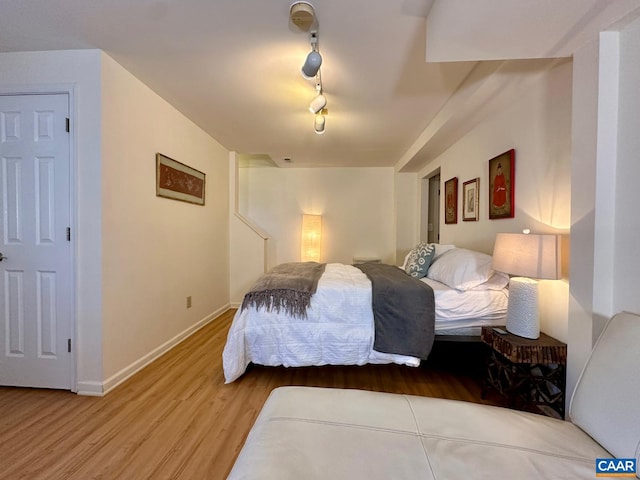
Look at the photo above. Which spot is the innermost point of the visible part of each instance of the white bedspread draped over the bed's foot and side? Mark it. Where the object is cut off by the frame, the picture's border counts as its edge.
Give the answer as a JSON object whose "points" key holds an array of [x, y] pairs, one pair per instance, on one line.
{"points": [[338, 331]]}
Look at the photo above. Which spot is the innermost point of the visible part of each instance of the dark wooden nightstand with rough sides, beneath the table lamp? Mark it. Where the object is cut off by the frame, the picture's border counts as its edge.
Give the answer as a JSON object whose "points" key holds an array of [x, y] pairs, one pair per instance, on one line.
{"points": [[530, 373]]}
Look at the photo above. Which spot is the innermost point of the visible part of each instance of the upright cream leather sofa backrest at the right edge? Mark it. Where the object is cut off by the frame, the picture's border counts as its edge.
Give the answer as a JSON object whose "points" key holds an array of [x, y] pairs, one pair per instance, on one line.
{"points": [[605, 403]]}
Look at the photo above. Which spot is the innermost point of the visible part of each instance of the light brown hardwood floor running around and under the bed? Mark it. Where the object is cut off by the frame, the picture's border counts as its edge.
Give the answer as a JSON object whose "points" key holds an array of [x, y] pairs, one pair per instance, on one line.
{"points": [[176, 419]]}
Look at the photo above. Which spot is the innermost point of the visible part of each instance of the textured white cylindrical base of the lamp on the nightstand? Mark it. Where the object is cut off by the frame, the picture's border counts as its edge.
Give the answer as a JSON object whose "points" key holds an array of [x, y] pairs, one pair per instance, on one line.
{"points": [[522, 311]]}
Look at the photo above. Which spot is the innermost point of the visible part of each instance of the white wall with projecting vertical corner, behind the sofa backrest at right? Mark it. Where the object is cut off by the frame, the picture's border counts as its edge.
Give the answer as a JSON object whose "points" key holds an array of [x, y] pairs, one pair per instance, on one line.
{"points": [[605, 225]]}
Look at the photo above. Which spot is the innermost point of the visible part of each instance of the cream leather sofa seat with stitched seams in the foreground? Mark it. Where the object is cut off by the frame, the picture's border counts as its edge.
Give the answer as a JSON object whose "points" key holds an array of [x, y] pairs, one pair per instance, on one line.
{"points": [[306, 432]]}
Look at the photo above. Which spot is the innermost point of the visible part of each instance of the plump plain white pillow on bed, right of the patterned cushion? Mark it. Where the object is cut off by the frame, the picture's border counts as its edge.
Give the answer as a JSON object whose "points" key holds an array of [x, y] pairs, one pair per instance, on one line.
{"points": [[461, 269]]}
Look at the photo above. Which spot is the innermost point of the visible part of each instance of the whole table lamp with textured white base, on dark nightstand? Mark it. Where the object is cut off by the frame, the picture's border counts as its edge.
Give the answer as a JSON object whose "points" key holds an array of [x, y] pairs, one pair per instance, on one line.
{"points": [[528, 257]]}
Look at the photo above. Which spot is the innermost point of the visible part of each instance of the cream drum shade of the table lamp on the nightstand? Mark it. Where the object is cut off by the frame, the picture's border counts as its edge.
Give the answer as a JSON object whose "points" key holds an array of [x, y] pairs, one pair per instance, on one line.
{"points": [[534, 256]]}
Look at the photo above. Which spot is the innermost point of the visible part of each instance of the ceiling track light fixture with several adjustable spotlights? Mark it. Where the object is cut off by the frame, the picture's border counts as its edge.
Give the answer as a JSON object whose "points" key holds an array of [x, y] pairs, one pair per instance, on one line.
{"points": [[302, 14]]}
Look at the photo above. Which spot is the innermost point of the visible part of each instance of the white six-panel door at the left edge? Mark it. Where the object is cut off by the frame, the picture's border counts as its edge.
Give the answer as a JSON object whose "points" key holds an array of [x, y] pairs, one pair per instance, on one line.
{"points": [[36, 268]]}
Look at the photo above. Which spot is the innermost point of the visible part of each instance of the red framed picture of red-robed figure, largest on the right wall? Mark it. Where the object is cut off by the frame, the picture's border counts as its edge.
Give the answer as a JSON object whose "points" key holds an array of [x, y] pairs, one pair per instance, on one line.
{"points": [[502, 175]]}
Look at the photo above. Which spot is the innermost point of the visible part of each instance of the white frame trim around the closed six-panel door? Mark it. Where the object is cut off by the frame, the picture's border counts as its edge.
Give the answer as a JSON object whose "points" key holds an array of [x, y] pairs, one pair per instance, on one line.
{"points": [[69, 90]]}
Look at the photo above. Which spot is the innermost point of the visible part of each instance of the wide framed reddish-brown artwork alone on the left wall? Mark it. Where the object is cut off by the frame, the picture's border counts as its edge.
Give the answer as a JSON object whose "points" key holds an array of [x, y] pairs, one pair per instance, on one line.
{"points": [[179, 181]]}
